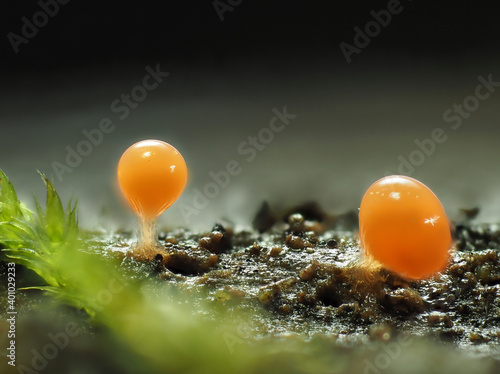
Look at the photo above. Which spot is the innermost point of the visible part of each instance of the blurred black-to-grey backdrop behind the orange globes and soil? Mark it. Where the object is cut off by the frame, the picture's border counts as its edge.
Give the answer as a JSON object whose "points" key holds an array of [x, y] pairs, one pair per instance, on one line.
{"points": [[354, 121]]}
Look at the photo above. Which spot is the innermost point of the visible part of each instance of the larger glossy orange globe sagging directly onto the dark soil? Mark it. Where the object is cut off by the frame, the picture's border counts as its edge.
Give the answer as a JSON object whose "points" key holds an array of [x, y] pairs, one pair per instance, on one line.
{"points": [[403, 226]]}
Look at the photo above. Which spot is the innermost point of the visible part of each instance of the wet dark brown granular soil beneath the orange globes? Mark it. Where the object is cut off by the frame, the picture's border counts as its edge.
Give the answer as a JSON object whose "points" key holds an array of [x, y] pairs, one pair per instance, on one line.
{"points": [[305, 269]]}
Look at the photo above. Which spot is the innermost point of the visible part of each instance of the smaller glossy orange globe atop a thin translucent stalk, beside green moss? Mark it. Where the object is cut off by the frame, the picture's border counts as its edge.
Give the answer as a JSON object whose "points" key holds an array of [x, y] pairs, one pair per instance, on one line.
{"points": [[152, 175]]}
